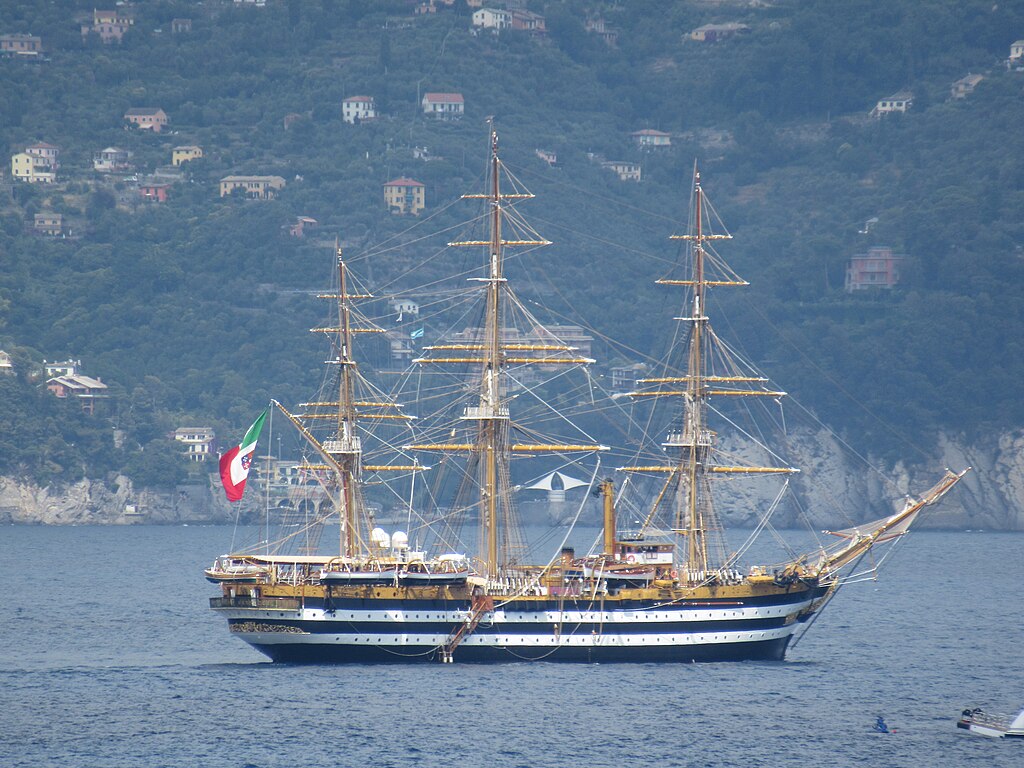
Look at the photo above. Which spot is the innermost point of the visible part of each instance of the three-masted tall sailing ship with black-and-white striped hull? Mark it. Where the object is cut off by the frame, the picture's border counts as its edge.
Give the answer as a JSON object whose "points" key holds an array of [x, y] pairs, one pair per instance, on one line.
{"points": [[667, 591]]}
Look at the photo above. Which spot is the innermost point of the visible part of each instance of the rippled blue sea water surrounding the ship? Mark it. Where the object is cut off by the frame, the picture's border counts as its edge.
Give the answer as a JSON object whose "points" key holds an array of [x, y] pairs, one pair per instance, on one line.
{"points": [[109, 657]]}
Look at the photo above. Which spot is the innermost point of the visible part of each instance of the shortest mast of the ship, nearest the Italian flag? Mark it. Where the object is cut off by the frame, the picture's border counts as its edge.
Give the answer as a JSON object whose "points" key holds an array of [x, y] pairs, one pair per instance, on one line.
{"points": [[343, 449]]}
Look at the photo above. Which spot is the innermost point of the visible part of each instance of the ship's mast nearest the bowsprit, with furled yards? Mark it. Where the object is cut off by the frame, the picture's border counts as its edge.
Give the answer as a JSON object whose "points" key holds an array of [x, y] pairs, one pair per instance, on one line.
{"points": [[687, 488]]}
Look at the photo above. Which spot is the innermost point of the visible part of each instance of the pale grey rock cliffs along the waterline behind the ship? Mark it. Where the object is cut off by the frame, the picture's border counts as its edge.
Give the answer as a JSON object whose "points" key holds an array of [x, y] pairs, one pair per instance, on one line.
{"points": [[832, 491]]}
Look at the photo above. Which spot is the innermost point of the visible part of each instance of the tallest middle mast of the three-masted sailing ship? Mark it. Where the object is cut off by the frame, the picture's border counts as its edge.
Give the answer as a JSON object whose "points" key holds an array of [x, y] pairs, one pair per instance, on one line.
{"points": [[493, 445]]}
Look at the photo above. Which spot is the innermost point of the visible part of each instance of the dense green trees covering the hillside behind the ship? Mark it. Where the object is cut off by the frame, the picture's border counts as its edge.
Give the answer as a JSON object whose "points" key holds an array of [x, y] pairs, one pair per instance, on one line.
{"points": [[195, 311]]}
